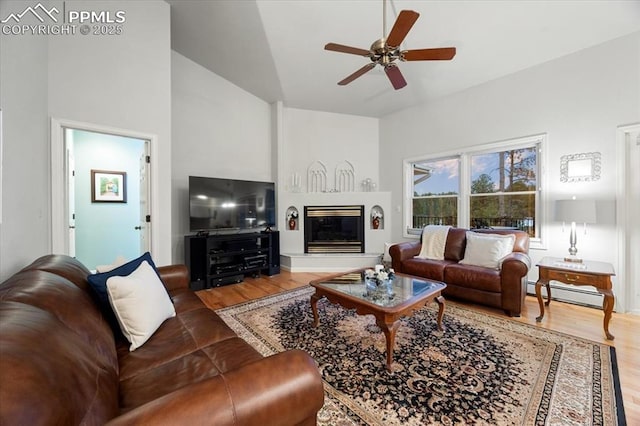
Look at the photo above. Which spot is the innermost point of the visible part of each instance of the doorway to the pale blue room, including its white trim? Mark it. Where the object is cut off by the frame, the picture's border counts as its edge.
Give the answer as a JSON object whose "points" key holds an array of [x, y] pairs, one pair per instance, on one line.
{"points": [[97, 229]]}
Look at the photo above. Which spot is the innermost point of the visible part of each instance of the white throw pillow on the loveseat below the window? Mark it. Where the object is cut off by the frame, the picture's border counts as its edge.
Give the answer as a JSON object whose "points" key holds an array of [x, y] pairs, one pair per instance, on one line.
{"points": [[487, 249]]}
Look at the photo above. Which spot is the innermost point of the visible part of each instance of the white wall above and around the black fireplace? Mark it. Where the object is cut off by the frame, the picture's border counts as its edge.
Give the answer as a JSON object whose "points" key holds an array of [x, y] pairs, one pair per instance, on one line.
{"points": [[309, 136]]}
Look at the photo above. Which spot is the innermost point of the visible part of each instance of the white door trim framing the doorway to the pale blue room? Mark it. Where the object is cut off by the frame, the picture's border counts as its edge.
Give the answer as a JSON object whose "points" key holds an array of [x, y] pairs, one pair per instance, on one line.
{"points": [[59, 199]]}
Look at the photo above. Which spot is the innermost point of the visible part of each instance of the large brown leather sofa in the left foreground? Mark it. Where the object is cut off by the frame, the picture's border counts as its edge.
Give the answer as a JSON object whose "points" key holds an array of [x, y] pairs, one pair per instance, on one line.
{"points": [[60, 363]]}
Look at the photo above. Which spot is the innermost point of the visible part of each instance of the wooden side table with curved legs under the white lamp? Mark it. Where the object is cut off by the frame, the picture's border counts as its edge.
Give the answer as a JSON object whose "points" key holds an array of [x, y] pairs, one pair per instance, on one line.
{"points": [[596, 274]]}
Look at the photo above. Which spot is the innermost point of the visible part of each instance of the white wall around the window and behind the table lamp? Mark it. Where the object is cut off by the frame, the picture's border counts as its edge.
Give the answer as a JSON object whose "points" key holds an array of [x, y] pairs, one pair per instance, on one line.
{"points": [[578, 100]]}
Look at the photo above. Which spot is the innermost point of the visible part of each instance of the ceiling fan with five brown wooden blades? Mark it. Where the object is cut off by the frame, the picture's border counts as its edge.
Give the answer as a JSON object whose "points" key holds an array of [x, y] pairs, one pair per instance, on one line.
{"points": [[386, 51]]}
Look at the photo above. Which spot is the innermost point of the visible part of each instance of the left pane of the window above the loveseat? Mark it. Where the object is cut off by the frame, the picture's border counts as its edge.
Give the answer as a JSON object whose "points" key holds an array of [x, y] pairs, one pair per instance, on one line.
{"points": [[436, 186]]}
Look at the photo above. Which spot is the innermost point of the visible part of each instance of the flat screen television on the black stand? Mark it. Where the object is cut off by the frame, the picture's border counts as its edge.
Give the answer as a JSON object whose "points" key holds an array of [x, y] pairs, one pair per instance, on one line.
{"points": [[217, 204]]}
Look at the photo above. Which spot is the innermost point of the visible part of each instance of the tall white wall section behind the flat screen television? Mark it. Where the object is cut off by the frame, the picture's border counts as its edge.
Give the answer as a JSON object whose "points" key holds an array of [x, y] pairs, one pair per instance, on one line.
{"points": [[219, 130]]}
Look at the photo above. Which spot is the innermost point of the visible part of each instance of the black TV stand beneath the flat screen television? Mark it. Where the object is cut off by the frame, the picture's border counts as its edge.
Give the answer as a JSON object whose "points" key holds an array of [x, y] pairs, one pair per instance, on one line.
{"points": [[221, 259]]}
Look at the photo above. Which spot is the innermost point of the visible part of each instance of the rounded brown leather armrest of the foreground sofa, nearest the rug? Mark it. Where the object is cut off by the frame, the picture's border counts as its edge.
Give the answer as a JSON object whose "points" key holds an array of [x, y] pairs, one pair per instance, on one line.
{"points": [[283, 389]]}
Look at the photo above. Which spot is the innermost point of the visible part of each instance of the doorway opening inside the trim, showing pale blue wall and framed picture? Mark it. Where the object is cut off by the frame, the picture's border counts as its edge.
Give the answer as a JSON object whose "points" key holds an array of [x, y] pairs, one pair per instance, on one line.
{"points": [[113, 221]]}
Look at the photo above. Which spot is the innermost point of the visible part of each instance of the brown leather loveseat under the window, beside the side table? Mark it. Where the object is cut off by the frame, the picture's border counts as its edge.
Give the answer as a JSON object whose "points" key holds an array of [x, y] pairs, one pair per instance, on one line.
{"points": [[504, 288]]}
